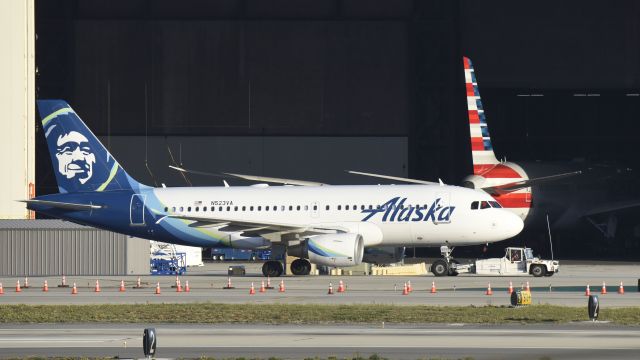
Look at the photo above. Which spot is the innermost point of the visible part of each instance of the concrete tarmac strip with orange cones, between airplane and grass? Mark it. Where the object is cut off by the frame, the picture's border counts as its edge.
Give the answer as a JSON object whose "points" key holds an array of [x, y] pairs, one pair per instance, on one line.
{"points": [[564, 288]]}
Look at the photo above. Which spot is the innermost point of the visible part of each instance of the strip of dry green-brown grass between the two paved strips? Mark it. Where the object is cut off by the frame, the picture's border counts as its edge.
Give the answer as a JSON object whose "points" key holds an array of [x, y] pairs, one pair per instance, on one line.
{"points": [[211, 313]]}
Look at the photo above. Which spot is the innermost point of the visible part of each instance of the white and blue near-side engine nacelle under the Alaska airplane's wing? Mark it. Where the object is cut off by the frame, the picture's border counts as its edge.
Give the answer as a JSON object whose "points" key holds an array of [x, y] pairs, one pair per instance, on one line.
{"points": [[344, 249]]}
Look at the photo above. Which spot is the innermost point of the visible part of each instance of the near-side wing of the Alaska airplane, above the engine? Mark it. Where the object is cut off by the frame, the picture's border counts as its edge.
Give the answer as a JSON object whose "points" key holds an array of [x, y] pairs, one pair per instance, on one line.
{"points": [[260, 228]]}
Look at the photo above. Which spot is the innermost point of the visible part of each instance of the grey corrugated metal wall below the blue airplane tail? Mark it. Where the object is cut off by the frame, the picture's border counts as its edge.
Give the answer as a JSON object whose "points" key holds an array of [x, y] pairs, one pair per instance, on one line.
{"points": [[74, 250]]}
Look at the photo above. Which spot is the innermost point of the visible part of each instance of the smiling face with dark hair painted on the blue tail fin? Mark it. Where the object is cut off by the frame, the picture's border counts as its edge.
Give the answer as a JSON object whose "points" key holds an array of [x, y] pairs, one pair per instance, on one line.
{"points": [[75, 156]]}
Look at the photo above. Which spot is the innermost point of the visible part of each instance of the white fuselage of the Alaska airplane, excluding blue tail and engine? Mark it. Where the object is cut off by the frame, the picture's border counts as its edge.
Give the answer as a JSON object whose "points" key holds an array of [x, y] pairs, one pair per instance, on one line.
{"points": [[398, 215]]}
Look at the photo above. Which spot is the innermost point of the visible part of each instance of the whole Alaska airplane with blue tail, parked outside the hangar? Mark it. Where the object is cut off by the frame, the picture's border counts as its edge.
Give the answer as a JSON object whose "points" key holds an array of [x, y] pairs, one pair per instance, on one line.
{"points": [[325, 225]]}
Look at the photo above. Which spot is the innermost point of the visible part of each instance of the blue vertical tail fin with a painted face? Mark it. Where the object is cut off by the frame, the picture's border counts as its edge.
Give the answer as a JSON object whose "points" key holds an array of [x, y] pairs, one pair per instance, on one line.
{"points": [[80, 161]]}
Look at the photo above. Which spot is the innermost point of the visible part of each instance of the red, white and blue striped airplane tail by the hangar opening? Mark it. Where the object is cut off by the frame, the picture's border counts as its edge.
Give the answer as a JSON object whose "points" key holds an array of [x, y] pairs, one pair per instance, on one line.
{"points": [[487, 170]]}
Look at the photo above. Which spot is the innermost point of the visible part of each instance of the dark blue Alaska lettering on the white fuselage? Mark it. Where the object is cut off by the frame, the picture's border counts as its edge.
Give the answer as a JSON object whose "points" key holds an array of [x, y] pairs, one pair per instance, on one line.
{"points": [[394, 210]]}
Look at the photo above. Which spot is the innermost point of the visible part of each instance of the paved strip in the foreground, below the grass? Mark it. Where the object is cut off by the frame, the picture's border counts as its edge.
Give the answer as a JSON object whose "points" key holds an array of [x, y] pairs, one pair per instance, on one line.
{"points": [[576, 341]]}
